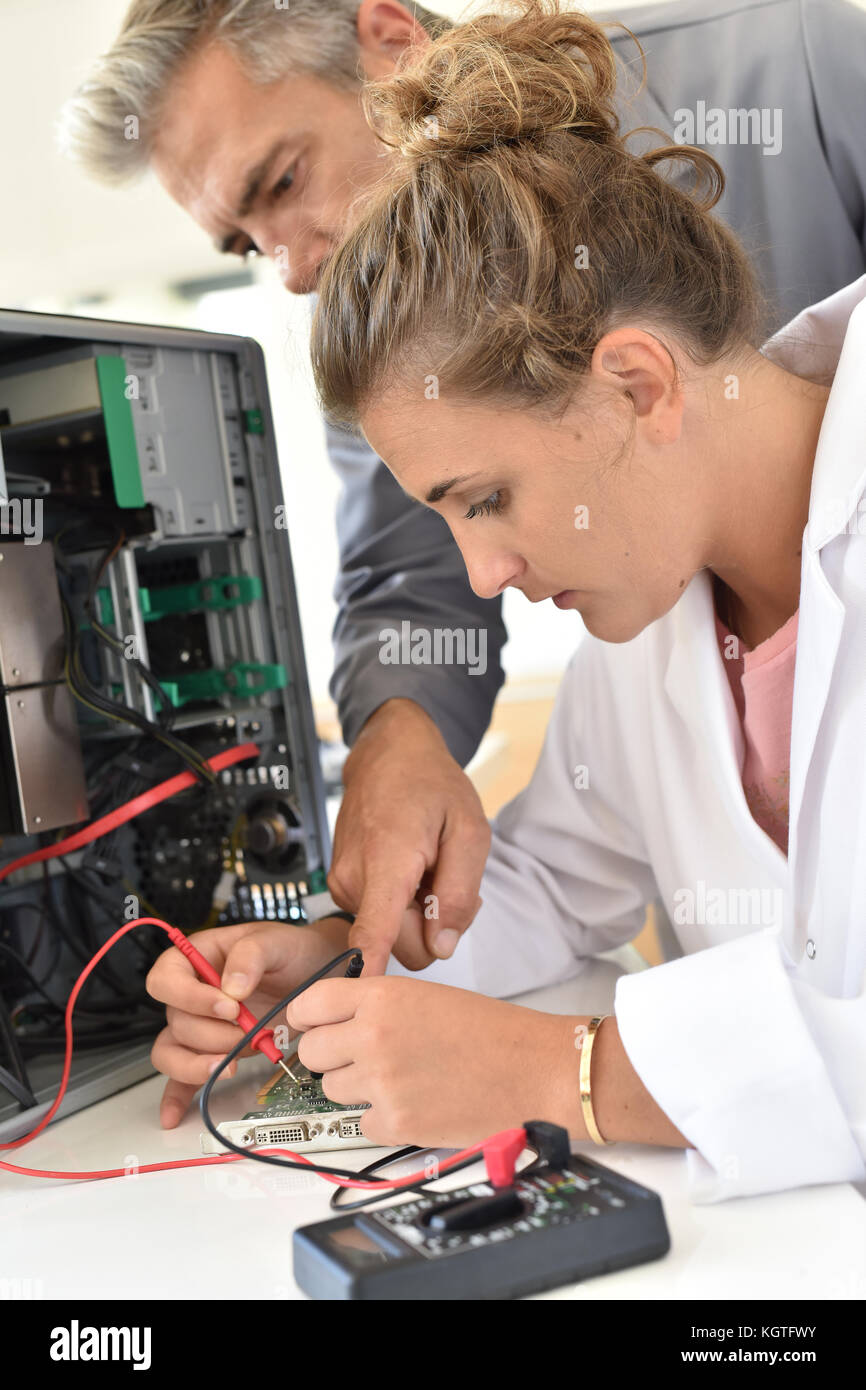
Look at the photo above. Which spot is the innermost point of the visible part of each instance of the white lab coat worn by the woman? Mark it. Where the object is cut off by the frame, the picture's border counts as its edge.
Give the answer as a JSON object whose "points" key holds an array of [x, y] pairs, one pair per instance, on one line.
{"points": [[754, 1042]]}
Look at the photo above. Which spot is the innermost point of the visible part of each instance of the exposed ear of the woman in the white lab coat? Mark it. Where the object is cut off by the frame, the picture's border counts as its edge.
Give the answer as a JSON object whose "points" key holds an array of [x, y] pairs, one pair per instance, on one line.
{"points": [[642, 368]]}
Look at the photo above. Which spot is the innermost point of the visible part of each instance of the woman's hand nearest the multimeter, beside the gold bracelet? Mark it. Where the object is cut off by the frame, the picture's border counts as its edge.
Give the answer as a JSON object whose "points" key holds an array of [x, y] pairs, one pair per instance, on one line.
{"points": [[439, 1065]]}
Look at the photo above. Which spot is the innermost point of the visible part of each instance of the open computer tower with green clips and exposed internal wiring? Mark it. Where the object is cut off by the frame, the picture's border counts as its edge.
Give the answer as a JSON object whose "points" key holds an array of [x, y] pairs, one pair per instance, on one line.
{"points": [[148, 625]]}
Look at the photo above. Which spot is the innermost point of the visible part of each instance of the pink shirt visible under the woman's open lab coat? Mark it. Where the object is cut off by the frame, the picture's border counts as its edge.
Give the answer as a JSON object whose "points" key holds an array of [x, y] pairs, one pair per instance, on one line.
{"points": [[762, 683]]}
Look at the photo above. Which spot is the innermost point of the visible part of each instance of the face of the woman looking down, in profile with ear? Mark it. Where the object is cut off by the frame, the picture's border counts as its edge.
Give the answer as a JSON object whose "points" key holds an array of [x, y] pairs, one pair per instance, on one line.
{"points": [[597, 512]]}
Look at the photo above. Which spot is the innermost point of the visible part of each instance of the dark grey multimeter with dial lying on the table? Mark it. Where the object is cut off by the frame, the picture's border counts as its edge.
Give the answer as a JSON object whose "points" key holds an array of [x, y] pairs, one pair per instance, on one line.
{"points": [[571, 1224]]}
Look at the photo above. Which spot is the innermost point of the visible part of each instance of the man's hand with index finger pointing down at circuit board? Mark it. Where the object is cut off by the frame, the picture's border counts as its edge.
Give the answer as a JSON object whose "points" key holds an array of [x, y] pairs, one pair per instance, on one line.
{"points": [[411, 842]]}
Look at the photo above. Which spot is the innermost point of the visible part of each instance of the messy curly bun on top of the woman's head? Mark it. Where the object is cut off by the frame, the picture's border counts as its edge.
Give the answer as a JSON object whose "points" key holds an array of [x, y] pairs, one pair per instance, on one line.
{"points": [[500, 79]]}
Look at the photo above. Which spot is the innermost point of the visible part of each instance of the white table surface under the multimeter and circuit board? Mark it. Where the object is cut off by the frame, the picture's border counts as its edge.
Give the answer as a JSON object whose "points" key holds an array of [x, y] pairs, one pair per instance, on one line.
{"points": [[227, 1232]]}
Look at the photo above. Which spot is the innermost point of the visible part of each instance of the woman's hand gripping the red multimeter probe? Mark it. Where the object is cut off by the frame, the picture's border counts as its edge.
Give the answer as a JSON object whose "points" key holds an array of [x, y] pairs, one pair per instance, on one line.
{"points": [[259, 963]]}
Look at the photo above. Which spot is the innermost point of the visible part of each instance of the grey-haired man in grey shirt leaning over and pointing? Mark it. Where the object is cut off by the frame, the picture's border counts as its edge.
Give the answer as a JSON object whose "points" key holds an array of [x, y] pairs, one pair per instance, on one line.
{"points": [[248, 112]]}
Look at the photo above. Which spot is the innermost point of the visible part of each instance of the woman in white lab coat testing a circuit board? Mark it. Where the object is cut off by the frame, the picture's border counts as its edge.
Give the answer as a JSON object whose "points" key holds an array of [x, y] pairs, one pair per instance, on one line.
{"points": [[559, 352]]}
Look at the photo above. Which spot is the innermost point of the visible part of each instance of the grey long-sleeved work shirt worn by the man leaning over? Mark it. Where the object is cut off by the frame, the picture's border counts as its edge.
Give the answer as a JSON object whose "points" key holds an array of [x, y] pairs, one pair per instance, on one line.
{"points": [[799, 209]]}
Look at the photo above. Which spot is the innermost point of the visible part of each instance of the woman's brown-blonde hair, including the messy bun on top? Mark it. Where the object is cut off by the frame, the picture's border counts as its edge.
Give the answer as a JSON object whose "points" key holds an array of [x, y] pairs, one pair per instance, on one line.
{"points": [[465, 261]]}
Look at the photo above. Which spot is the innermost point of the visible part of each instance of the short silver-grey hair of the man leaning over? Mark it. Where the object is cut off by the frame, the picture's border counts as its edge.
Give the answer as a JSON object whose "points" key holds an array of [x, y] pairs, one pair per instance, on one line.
{"points": [[111, 123]]}
